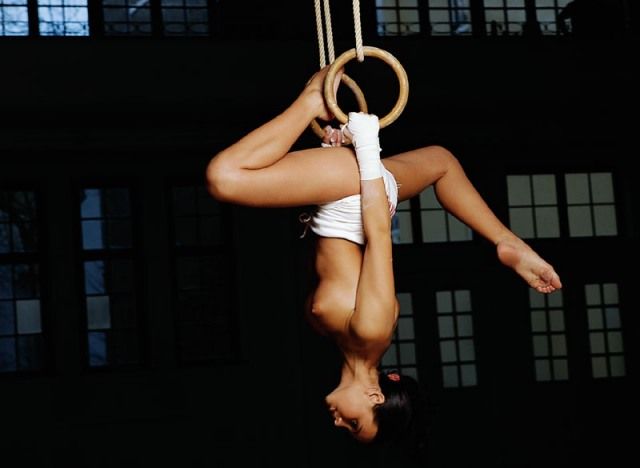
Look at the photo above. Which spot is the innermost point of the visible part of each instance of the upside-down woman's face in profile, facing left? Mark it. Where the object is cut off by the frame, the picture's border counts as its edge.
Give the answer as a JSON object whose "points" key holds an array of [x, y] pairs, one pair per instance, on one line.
{"points": [[351, 408]]}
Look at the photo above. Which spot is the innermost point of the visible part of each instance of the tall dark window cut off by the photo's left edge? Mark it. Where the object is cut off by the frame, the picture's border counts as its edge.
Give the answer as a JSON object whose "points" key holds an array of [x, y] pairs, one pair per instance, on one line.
{"points": [[21, 331]]}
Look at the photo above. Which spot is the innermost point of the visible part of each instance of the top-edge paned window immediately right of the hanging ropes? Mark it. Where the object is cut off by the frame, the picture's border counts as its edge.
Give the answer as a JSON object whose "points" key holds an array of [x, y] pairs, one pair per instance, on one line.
{"points": [[397, 17]]}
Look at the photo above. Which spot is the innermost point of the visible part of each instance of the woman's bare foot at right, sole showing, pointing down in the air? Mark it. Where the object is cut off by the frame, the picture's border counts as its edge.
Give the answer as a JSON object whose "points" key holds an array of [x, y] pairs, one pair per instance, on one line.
{"points": [[527, 263]]}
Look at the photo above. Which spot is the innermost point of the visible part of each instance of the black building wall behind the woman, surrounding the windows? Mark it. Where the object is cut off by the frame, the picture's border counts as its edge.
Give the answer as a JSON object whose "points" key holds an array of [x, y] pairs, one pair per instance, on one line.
{"points": [[149, 110]]}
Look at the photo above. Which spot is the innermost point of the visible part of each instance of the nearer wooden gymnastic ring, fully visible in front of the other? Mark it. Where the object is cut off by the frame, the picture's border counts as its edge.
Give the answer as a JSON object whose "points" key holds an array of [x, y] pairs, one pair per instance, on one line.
{"points": [[369, 51]]}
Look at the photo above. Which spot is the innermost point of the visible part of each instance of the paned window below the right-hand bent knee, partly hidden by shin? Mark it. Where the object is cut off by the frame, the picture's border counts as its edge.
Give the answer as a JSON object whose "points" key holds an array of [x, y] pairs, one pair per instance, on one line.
{"points": [[438, 225]]}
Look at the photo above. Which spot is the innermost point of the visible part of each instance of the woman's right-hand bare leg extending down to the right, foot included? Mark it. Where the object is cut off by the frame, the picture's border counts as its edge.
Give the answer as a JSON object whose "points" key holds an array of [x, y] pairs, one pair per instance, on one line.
{"points": [[434, 165]]}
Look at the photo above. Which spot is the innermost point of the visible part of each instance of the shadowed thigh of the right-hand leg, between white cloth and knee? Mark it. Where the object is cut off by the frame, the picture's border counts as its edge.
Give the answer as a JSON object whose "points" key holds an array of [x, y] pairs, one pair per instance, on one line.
{"points": [[417, 169]]}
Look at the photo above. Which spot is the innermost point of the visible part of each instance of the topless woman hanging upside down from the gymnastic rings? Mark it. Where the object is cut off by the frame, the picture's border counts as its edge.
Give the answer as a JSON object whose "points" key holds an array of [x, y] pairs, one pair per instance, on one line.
{"points": [[356, 193]]}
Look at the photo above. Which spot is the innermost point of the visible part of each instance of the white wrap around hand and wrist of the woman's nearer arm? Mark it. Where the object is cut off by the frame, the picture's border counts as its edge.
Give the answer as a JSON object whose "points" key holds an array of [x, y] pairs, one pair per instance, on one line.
{"points": [[364, 130]]}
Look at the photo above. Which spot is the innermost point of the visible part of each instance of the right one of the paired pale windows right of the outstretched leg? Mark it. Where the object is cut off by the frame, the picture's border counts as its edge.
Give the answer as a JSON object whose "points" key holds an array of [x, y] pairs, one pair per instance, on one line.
{"points": [[591, 204]]}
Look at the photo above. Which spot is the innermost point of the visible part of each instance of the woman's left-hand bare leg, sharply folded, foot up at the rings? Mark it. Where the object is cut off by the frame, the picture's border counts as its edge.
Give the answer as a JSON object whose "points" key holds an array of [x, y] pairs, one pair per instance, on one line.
{"points": [[259, 170]]}
